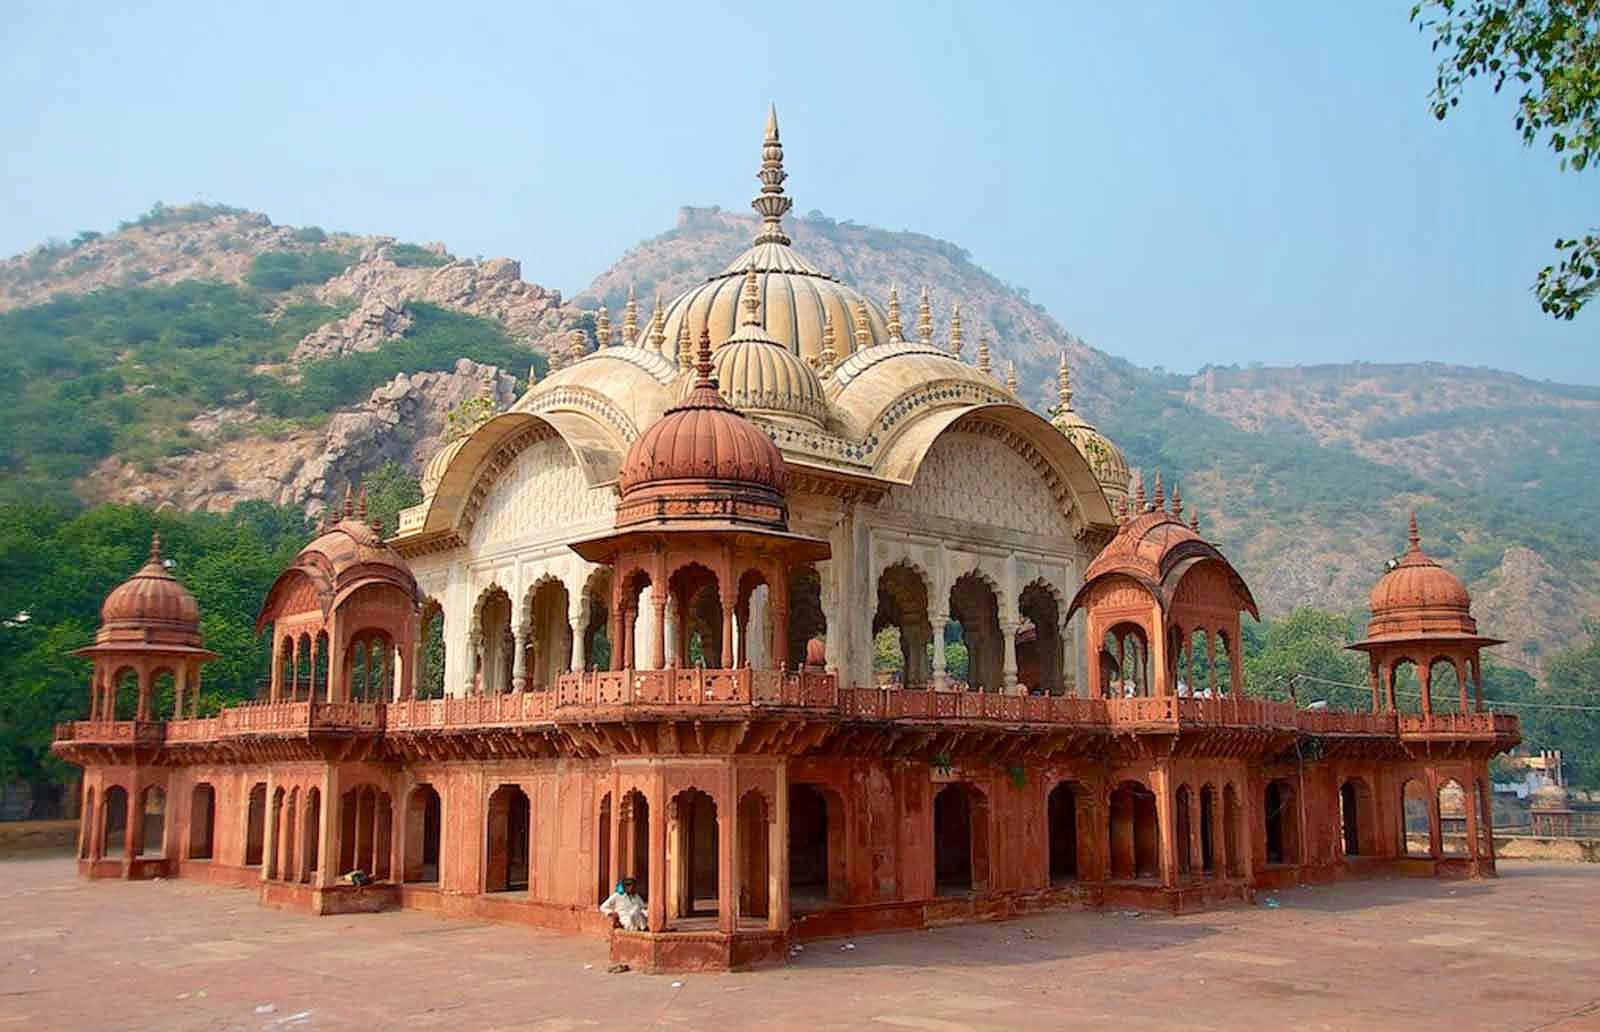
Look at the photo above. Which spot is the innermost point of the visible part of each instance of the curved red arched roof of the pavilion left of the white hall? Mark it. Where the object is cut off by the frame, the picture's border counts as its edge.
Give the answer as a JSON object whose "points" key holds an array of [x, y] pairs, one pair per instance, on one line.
{"points": [[345, 558]]}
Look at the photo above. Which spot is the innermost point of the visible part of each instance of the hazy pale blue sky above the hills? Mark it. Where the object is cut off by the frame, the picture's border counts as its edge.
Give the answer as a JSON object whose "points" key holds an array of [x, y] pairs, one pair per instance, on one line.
{"points": [[1178, 183]]}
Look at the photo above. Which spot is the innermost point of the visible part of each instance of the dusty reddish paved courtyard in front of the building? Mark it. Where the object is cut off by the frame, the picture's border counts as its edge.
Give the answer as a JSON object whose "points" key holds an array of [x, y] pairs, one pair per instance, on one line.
{"points": [[1518, 953]]}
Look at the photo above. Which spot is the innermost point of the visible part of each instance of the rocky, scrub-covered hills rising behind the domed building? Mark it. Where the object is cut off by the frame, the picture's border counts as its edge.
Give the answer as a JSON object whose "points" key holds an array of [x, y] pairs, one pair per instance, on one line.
{"points": [[1303, 474]]}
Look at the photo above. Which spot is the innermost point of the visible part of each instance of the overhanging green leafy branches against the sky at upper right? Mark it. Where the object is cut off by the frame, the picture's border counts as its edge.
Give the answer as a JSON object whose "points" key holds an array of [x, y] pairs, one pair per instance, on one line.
{"points": [[1551, 52]]}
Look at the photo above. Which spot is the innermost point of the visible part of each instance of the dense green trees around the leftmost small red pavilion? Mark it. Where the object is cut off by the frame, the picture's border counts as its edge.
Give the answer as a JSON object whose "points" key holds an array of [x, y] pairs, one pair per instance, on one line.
{"points": [[57, 569]]}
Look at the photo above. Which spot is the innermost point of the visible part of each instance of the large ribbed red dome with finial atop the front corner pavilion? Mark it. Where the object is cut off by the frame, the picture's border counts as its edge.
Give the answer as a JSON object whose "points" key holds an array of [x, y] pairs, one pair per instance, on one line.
{"points": [[703, 462]]}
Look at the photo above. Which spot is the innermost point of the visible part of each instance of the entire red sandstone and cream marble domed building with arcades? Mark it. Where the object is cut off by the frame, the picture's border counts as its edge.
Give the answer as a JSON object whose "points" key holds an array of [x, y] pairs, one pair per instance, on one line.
{"points": [[658, 582]]}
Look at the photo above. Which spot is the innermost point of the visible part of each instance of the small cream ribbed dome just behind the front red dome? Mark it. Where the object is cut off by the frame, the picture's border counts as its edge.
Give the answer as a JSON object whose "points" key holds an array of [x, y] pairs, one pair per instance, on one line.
{"points": [[759, 375]]}
